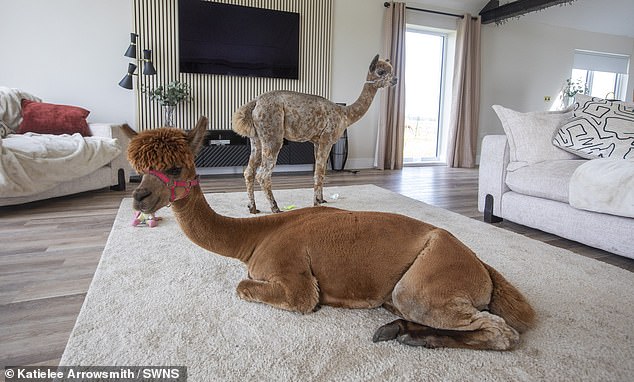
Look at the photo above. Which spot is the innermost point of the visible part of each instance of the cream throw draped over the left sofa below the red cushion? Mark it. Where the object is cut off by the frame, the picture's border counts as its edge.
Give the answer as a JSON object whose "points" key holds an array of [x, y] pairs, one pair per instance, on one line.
{"points": [[31, 163]]}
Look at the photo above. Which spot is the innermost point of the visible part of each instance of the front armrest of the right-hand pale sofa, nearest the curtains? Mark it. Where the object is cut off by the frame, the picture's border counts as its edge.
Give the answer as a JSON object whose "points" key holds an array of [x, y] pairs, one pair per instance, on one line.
{"points": [[494, 159]]}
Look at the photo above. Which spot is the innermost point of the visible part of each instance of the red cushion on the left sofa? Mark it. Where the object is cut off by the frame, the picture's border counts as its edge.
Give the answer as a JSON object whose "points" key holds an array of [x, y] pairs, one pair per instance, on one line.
{"points": [[47, 118]]}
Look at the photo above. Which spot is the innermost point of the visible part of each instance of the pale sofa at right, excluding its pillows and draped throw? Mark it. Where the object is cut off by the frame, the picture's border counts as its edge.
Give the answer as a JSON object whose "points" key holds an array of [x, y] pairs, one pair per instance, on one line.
{"points": [[538, 197]]}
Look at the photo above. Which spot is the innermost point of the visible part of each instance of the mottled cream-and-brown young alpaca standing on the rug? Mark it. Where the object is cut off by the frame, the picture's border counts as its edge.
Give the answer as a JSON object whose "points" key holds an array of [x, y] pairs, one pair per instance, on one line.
{"points": [[299, 117]]}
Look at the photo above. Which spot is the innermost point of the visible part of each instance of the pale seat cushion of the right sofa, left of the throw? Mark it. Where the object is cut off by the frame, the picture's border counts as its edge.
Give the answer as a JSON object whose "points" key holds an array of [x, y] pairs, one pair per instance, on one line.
{"points": [[547, 180]]}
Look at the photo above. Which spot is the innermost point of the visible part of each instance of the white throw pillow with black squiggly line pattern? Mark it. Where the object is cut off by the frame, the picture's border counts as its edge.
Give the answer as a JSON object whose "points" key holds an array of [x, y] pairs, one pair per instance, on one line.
{"points": [[598, 129]]}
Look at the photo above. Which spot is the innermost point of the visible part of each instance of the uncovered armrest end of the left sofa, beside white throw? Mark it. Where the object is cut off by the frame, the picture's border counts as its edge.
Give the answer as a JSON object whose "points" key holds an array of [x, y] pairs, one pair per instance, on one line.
{"points": [[120, 168]]}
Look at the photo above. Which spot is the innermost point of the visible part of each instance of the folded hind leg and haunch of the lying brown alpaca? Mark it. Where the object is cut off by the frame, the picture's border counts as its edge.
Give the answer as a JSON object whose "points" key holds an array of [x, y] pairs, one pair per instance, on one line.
{"points": [[441, 311]]}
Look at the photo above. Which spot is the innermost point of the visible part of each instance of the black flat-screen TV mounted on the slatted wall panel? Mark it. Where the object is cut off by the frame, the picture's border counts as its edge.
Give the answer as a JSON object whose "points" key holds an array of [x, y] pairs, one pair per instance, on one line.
{"points": [[219, 38]]}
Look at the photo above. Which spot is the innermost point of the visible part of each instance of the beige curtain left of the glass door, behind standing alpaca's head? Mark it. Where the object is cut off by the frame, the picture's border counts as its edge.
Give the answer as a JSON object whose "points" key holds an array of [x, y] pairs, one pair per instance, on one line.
{"points": [[389, 147]]}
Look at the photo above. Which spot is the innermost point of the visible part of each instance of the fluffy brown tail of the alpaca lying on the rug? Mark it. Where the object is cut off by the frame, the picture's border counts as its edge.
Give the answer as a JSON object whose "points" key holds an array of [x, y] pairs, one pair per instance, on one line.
{"points": [[508, 303]]}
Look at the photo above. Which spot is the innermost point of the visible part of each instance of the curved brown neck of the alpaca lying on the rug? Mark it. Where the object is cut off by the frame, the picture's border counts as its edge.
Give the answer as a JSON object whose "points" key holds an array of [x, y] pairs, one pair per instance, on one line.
{"points": [[220, 234]]}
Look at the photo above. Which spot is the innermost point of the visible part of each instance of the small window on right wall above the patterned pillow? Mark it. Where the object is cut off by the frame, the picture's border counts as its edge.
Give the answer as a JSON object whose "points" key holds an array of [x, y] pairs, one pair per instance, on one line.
{"points": [[604, 74]]}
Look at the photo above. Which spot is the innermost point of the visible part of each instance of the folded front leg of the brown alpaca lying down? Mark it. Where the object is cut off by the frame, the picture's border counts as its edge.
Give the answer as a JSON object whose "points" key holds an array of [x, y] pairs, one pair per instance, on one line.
{"points": [[298, 294]]}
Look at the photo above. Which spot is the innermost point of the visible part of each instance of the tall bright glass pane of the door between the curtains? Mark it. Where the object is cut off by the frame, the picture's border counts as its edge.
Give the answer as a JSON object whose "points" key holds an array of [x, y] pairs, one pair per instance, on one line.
{"points": [[423, 73]]}
